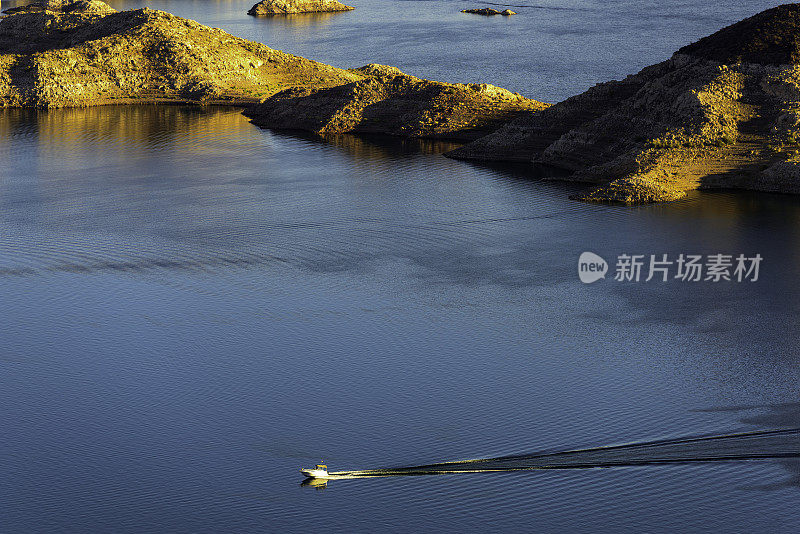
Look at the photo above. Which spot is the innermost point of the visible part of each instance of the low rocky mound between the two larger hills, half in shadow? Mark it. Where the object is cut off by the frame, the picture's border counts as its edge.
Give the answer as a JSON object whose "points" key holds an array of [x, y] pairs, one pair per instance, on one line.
{"points": [[390, 102]]}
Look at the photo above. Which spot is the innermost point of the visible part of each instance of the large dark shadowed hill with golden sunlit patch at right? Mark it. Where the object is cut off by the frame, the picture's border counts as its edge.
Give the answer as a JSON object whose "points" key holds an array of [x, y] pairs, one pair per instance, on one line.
{"points": [[723, 112]]}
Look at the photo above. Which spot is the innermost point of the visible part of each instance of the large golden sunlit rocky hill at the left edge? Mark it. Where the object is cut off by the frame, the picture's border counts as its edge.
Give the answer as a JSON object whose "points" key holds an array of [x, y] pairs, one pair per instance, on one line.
{"points": [[71, 57]]}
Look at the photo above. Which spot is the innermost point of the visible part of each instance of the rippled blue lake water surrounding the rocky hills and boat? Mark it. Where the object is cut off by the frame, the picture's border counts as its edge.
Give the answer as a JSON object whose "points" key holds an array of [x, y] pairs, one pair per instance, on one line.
{"points": [[193, 308]]}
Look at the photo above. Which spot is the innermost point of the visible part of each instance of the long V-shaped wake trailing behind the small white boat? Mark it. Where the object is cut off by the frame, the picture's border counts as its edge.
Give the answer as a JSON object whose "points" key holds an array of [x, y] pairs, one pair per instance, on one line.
{"points": [[756, 445]]}
